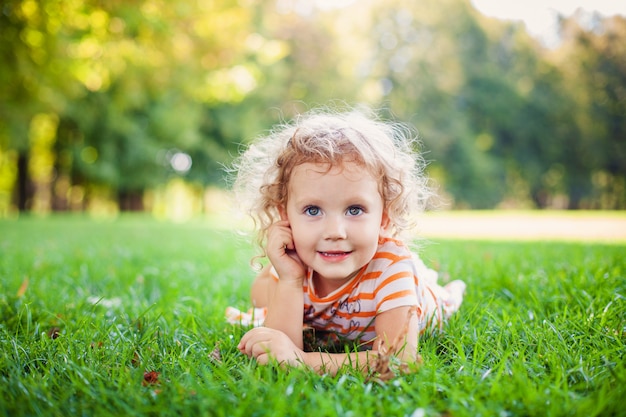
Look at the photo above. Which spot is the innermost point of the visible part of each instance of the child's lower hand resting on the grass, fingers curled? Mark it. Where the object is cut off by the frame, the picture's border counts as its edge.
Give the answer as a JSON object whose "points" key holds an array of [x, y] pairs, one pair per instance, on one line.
{"points": [[263, 344]]}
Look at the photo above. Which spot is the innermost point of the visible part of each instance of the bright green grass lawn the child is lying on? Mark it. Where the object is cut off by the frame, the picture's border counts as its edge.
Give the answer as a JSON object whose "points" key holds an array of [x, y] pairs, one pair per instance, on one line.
{"points": [[542, 330]]}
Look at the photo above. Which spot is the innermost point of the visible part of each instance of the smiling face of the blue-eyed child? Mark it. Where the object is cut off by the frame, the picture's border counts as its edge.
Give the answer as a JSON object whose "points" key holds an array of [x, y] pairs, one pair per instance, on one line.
{"points": [[336, 218]]}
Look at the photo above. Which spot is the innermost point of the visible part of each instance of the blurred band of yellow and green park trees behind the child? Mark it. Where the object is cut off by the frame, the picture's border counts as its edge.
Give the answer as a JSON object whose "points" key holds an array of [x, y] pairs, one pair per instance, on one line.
{"points": [[137, 105]]}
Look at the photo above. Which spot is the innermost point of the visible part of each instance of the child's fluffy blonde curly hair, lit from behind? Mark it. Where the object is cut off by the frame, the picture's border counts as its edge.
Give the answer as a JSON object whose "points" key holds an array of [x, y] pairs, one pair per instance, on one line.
{"points": [[387, 150]]}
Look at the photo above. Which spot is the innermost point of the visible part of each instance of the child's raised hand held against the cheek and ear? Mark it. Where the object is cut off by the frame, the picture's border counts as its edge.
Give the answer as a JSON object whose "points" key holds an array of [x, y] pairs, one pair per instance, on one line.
{"points": [[282, 252]]}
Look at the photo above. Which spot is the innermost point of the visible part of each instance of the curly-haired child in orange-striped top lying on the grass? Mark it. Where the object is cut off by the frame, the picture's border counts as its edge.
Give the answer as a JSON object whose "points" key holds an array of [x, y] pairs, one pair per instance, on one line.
{"points": [[331, 196]]}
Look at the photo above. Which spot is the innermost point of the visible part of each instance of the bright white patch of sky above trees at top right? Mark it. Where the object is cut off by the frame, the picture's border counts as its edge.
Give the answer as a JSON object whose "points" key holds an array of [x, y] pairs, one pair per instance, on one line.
{"points": [[540, 15]]}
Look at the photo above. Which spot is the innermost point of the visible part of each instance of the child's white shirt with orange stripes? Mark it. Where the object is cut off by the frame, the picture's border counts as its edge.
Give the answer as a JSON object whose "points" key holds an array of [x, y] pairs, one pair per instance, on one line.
{"points": [[388, 281]]}
